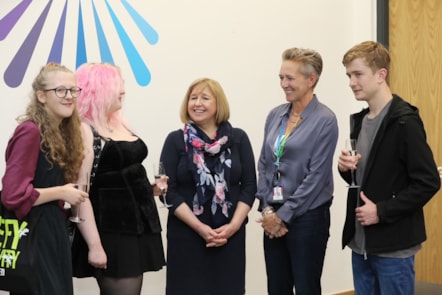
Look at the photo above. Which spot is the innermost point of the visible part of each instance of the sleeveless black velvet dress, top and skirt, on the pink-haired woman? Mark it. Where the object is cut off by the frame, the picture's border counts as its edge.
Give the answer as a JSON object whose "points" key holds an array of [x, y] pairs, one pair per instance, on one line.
{"points": [[125, 213]]}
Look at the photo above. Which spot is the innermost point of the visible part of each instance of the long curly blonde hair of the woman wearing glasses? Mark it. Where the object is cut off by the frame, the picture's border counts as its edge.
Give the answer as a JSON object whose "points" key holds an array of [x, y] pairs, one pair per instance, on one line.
{"points": [[62, 143]]}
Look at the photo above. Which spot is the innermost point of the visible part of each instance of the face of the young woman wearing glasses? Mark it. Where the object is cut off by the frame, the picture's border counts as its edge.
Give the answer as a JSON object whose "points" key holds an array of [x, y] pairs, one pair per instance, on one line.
{"points": [[58, 108]]}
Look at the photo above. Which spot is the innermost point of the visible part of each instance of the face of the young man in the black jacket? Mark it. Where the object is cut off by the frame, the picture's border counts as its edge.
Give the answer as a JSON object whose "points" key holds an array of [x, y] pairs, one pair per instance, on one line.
{"points": [[364, 81]]}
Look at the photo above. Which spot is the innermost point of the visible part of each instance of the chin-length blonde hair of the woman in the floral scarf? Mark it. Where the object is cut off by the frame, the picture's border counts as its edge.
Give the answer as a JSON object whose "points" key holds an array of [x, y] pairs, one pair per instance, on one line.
{"points": [[222, 105]]}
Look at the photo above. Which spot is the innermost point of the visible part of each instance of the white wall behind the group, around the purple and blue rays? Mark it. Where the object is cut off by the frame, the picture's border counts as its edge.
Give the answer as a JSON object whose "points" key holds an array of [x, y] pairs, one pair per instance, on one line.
{"points": [[238, 43]]}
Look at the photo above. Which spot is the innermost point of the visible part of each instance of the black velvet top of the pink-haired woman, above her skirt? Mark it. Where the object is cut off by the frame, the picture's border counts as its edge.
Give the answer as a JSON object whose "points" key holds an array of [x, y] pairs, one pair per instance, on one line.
{"points": [[121, 194]]}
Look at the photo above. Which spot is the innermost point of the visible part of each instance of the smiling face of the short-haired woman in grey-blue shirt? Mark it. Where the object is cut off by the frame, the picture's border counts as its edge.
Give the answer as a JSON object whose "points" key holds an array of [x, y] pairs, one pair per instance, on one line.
{"points": [[296, 86]]}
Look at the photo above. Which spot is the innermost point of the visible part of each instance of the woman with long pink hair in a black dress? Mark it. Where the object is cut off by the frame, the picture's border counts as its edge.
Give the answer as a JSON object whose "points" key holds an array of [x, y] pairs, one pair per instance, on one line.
{"points": [[121, 234]]}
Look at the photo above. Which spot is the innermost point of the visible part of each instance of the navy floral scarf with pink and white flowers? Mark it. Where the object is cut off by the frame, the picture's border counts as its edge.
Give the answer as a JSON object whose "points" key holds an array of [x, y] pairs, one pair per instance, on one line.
{"points": [[209, 163]]}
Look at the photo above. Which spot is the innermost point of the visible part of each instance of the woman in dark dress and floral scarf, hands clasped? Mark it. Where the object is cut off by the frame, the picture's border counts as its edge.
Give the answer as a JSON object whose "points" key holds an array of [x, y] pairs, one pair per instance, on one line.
{"points": [[212, 186]]}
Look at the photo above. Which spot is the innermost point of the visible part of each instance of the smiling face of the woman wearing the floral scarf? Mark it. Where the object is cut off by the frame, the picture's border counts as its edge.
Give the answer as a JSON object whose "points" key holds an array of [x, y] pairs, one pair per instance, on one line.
{"points": [[201, 106]]}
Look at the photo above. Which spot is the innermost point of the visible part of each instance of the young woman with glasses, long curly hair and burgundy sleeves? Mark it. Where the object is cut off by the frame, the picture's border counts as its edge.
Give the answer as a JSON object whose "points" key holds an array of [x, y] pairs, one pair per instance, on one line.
{"points": [[43, 159]]}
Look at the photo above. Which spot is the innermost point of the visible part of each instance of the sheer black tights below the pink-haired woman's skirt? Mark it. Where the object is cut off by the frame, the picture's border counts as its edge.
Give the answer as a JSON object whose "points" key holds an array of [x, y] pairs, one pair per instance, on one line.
{"points": [[120, 286]]}
